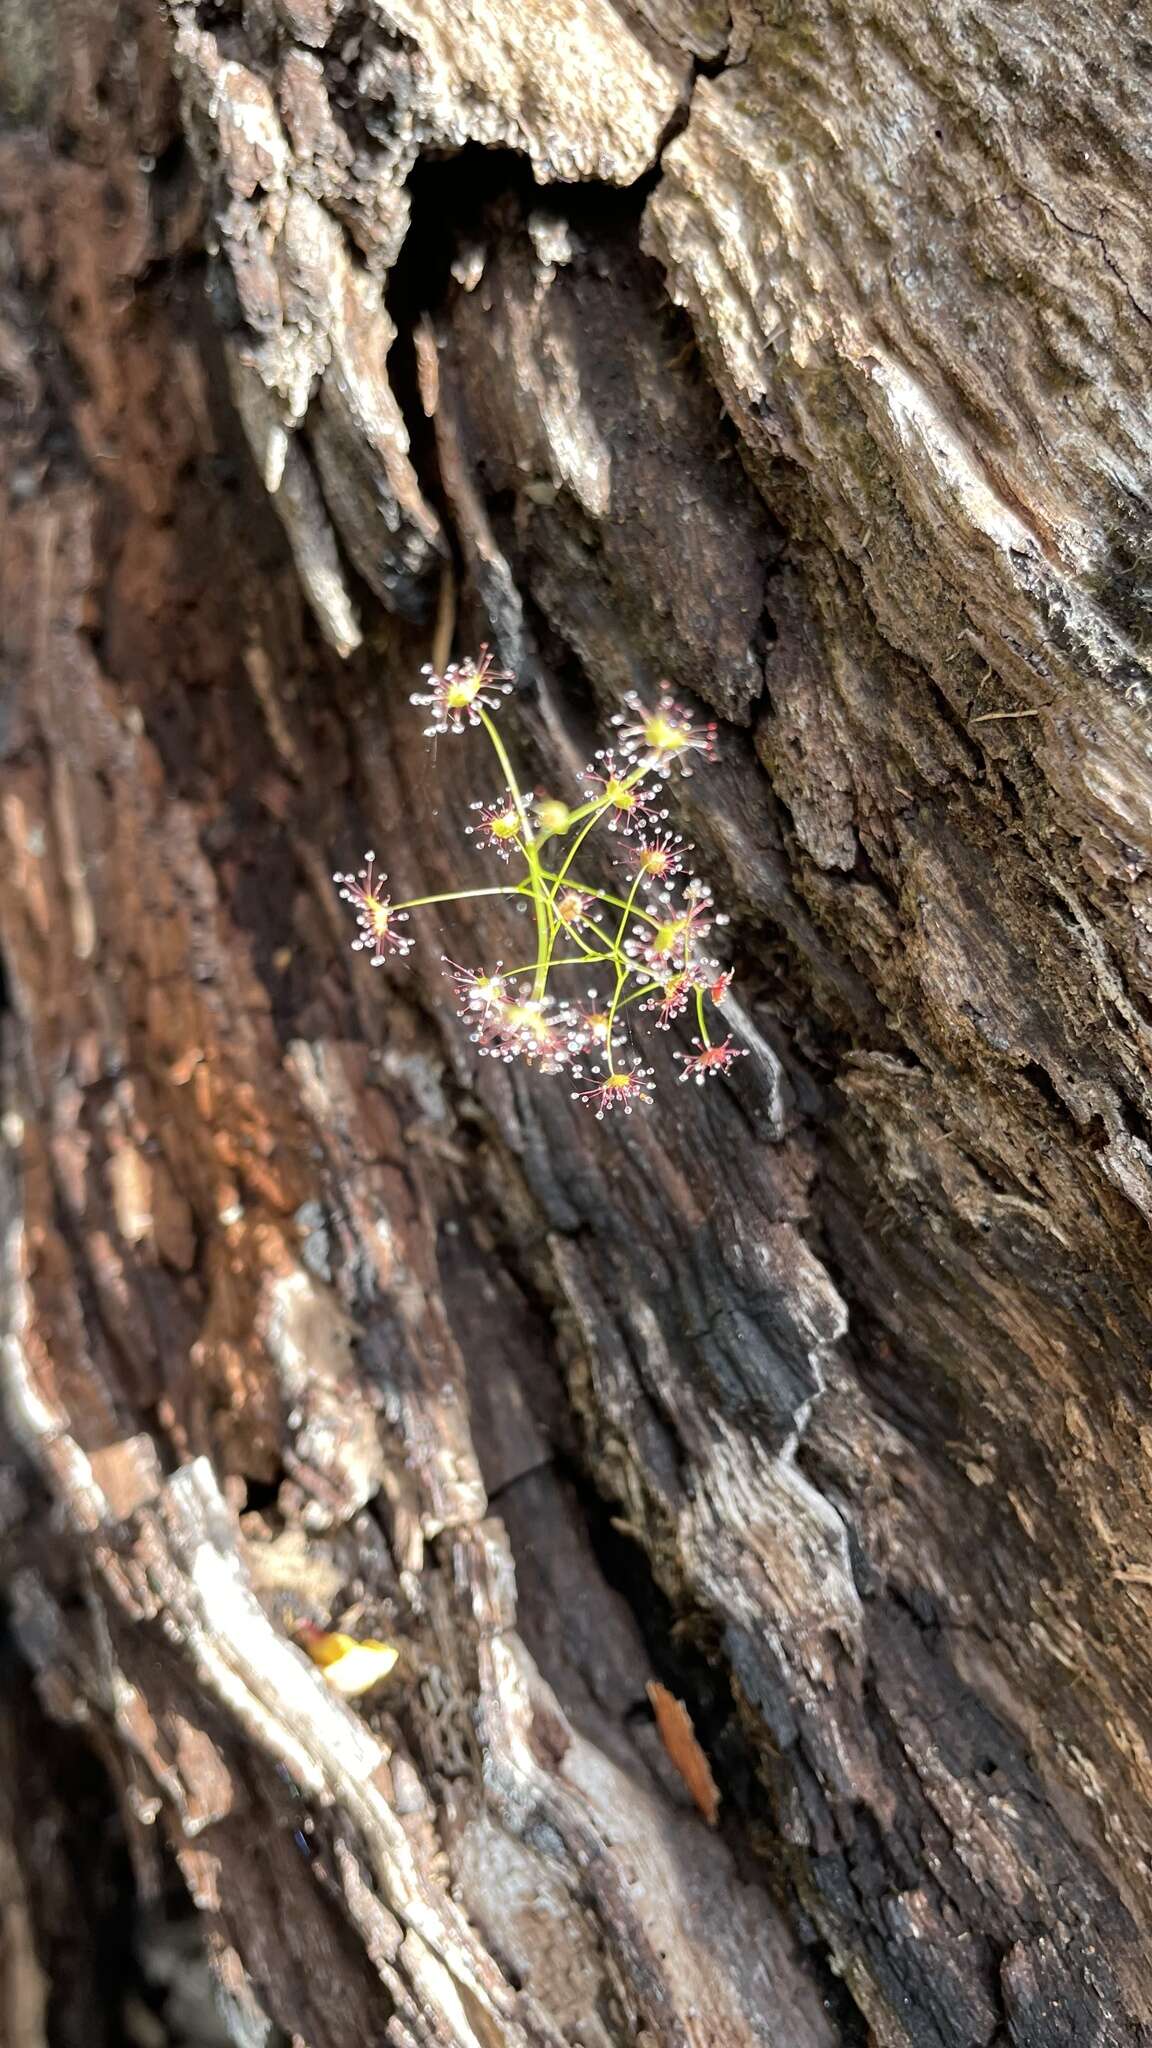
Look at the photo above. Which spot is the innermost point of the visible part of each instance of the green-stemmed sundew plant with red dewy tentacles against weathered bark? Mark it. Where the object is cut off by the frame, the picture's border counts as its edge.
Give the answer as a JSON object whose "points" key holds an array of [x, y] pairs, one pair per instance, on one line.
{"points": [[604, 957]]}
